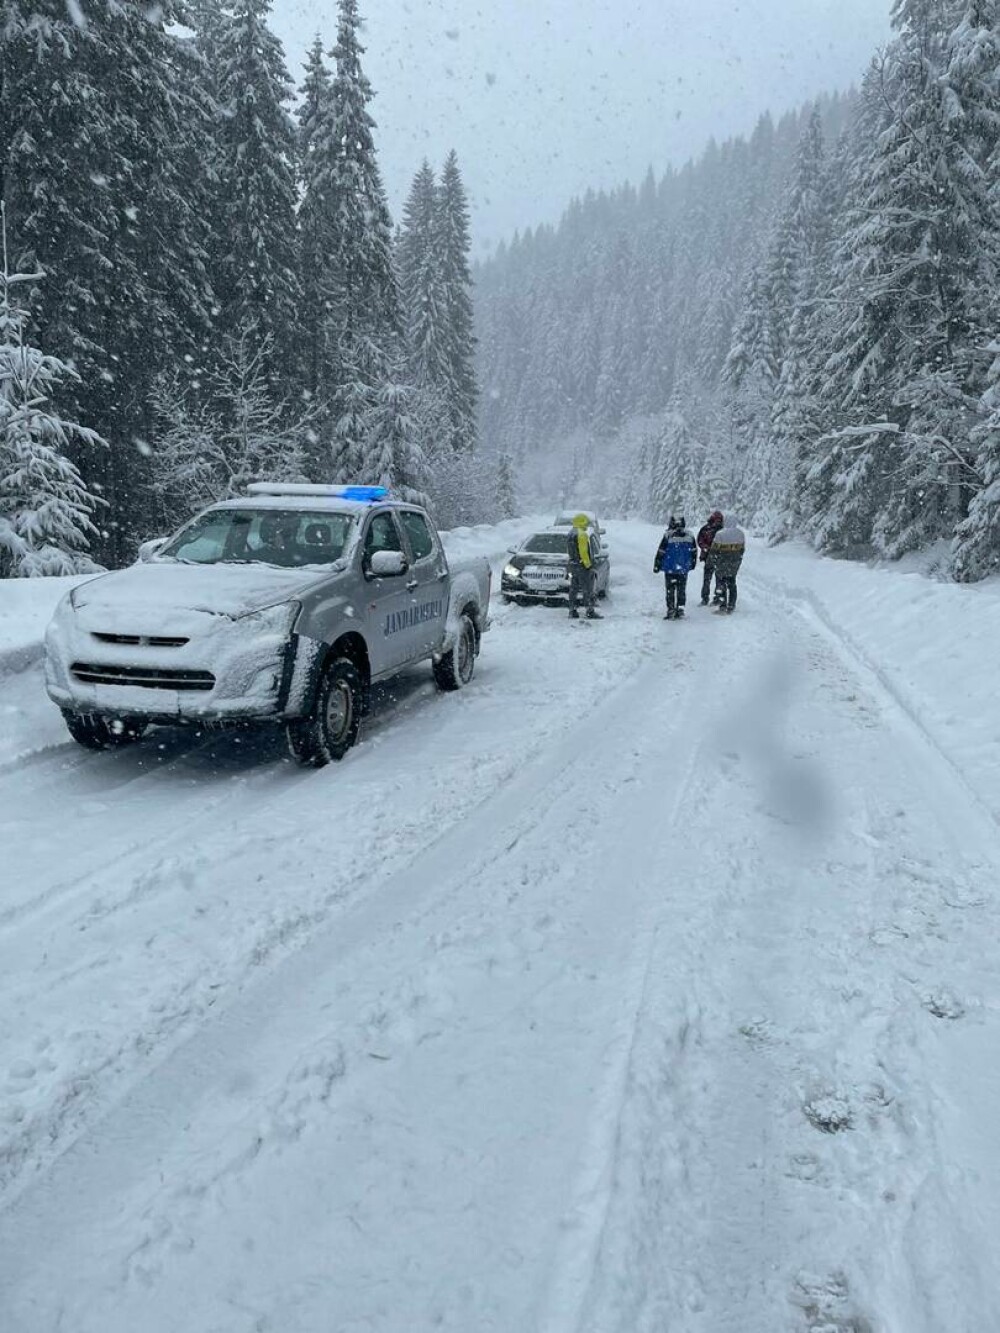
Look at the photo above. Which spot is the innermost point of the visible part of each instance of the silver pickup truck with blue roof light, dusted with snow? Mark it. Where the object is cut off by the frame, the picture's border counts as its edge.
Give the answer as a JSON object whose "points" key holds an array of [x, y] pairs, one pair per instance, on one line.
{"points": [[286, 606]]}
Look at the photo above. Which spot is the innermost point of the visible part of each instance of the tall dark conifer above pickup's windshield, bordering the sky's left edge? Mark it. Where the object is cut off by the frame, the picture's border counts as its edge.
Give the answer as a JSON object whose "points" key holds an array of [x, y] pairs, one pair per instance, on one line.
{"points": [[255, 262]]}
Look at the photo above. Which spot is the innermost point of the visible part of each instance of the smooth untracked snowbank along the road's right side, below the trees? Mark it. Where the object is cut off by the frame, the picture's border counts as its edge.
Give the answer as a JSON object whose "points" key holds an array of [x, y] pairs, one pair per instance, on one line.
{"points": [[934, 646]]}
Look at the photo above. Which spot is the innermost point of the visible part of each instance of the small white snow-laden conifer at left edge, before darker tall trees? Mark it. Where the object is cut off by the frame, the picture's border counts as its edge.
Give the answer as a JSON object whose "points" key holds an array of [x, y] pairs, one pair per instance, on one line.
{"points": [[46, 510]]}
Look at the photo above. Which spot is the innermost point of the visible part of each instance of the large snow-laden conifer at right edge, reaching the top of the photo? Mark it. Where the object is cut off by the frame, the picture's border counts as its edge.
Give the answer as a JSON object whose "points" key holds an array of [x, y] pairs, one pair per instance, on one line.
{"points": [[918, 251]]}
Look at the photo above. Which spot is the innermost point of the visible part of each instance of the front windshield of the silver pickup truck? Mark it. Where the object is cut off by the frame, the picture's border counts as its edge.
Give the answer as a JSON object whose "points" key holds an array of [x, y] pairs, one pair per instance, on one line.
{"points": [[287, 538]]}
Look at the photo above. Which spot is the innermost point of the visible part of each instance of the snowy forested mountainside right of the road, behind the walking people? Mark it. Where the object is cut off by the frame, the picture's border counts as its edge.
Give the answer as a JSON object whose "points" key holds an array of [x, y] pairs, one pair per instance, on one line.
{"points": [[801, 326]]}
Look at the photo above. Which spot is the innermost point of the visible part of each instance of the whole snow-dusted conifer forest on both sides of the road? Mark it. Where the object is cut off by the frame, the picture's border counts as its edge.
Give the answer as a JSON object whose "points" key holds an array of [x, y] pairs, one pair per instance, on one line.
{"points": [[203, 286]]}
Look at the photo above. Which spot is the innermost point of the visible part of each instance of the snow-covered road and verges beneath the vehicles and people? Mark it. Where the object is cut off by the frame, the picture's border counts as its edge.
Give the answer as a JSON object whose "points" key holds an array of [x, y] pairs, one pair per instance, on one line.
{"points": [[650, 984]]}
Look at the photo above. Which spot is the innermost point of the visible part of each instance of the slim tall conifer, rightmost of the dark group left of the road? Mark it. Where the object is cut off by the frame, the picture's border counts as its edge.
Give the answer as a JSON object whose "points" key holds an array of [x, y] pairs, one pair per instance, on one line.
{"points": [[457, 282]]}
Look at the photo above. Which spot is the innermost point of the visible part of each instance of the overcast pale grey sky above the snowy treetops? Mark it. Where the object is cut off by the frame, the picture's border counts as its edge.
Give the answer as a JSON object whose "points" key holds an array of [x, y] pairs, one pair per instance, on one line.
{"points": [[546, 98]]}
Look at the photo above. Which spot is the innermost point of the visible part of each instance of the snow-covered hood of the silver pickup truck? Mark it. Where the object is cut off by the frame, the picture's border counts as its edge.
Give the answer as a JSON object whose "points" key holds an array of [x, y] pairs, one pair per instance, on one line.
{"points": [[149, 595]]}
